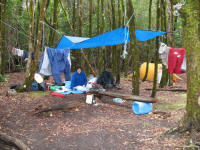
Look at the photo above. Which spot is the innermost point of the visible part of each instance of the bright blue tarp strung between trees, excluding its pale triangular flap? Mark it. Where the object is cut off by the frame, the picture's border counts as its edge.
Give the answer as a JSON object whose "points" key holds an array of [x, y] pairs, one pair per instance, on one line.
{"points": [[114, 37]]}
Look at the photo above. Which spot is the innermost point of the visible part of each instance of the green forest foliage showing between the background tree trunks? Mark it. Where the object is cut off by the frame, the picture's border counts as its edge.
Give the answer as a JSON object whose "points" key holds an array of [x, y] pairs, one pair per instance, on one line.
{"points": [[17, 16]]}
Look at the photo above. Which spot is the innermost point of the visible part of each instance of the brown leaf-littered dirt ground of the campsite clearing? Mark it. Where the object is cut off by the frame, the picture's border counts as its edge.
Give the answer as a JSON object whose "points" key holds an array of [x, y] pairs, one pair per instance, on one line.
{"points": [[108, 126]]}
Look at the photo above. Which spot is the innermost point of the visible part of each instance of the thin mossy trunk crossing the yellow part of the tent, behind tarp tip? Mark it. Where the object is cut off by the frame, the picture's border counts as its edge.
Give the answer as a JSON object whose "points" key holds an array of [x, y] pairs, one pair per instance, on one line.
{"points": [[148, 43]]}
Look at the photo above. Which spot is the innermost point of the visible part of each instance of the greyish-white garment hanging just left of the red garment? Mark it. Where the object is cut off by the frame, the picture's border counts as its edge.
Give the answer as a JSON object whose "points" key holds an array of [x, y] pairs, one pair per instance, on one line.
{"points": [[163, 53]]}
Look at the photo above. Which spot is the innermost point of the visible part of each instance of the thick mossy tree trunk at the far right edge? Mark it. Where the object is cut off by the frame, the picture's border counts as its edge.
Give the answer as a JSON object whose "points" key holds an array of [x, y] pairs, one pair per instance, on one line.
{"points": [[191, 28]]}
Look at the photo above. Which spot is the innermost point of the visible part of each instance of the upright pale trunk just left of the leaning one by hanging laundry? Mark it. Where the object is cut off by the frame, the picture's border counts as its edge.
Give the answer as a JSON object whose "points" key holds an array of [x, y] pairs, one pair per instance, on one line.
{"points": [[31, 37]]}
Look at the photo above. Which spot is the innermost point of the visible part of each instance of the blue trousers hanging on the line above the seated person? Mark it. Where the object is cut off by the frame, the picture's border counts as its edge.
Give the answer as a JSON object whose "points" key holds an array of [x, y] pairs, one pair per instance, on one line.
{"points": [[59, 64]]}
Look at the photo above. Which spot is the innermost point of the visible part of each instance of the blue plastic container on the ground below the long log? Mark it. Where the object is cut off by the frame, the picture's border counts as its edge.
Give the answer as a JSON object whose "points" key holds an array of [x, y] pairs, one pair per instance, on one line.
{"points": [[140, 108]]}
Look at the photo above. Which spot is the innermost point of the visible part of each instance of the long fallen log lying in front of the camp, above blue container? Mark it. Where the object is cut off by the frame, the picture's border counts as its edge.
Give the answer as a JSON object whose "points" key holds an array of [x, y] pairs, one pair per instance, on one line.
{"points": [[126, 96]]}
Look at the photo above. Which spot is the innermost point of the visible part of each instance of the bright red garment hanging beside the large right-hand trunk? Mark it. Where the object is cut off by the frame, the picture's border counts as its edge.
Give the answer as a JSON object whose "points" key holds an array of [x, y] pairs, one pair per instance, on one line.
{"points": [[175, 60]]}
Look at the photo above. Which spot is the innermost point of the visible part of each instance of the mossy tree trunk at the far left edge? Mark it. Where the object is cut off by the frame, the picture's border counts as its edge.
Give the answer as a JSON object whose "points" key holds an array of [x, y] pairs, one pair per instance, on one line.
{"points": [[3, 51]]}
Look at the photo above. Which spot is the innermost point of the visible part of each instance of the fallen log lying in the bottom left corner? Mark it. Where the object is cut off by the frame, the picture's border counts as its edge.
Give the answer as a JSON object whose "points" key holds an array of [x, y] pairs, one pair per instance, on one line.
{"points": [[13, 141]]}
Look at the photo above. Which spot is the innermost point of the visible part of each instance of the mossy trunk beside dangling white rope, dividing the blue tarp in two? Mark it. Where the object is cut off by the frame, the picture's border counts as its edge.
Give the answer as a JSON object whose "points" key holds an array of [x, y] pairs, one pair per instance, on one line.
{"points": [[135, 51]]}
